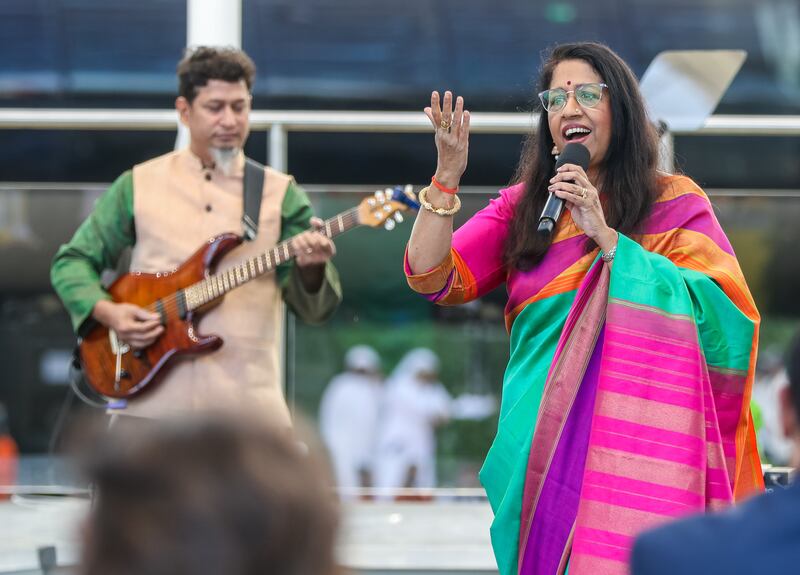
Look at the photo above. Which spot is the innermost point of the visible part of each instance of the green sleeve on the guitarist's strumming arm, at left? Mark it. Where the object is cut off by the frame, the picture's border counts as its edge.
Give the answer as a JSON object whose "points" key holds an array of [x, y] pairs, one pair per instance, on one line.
{"points": [[95, 247]]}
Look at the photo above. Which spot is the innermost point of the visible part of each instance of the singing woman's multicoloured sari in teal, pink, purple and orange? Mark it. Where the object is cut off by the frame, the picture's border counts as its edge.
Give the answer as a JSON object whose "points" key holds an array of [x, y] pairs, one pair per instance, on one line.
{"points": [[626, 397]]}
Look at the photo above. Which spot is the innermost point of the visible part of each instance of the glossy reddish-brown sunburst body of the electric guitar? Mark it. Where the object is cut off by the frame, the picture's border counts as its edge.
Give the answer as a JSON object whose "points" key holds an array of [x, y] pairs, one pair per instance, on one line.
{"points": [[131, 371]]}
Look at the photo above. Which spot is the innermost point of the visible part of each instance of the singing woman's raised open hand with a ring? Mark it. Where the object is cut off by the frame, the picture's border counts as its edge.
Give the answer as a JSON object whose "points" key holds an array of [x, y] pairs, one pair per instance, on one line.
{"points": [[451, 127]]}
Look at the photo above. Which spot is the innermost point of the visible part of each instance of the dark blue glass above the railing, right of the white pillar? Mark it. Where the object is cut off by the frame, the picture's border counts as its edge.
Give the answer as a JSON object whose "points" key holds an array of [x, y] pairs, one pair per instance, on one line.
{"points": [[358, 53]]}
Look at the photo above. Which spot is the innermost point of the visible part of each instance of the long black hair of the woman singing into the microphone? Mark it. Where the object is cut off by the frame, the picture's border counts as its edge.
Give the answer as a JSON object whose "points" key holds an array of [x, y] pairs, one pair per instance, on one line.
{"points": [[628, 171]]}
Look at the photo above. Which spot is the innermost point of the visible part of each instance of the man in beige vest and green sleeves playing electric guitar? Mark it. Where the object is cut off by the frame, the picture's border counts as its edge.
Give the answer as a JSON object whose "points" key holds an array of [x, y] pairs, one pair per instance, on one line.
{"points": [[164, 209]]}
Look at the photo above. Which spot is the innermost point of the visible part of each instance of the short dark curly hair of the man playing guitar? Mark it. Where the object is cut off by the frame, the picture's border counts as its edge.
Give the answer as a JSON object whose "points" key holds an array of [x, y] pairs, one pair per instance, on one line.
{"points": [[201, 64]]}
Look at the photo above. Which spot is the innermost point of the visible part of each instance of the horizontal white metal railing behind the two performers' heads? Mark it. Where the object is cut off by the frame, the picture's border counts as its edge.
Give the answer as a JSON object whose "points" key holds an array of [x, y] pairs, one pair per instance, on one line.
{"points": [[280, 123]]}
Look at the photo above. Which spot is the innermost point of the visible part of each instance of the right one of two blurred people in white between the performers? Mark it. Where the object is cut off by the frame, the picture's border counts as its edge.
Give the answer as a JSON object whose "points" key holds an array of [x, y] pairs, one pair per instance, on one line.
{"points": [[415, 402]]}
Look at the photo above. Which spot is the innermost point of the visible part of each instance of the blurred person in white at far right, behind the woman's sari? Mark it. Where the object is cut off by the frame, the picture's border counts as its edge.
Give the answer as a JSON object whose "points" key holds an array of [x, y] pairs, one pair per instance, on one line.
{"points": [[770, 381]]}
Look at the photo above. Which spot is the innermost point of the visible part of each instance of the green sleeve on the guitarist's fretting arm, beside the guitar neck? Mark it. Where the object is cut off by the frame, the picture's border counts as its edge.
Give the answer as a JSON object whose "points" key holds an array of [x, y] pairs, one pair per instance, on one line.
{"points": [[316, 307]]}
